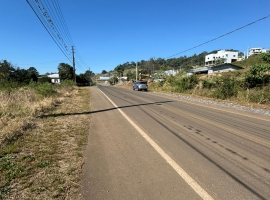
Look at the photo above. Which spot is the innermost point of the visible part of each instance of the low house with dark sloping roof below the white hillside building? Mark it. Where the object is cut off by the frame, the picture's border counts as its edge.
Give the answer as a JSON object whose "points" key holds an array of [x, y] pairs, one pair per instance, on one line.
{"points": [[225, 67]]}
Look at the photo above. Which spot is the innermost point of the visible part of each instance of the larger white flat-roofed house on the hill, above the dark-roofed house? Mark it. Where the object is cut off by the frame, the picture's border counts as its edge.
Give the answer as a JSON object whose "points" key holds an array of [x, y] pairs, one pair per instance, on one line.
{"points": [[228, 56]]}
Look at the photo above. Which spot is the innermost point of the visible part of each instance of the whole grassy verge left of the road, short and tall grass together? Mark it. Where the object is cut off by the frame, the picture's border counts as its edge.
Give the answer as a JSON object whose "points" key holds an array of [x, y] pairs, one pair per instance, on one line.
{"points": [[43, 130]]}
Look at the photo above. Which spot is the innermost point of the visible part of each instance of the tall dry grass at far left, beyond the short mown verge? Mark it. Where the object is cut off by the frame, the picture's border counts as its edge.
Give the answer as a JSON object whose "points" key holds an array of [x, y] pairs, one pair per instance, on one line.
{"points": [[19, 105]]}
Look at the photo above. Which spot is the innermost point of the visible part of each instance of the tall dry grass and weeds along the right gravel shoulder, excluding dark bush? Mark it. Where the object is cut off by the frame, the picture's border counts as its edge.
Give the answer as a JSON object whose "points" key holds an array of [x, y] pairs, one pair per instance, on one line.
{"points": [[227, 86]]}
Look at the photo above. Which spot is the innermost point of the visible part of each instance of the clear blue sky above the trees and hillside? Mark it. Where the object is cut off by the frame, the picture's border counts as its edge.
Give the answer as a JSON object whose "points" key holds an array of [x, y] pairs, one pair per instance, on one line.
{"points": [[107, 33]]}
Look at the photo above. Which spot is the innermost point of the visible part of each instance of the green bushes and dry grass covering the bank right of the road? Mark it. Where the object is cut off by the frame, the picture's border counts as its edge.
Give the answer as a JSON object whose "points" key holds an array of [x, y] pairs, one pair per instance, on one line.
{"points": [[250, 85]]}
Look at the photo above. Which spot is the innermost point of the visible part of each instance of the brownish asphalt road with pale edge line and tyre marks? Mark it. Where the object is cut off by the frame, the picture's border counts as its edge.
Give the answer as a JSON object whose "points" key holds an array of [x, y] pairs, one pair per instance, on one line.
{"points": [[145, 145]]}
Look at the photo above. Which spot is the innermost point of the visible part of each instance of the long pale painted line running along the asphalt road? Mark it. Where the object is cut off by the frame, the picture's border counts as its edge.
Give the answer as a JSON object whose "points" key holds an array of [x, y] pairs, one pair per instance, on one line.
{"points": [[191, 182]]}
